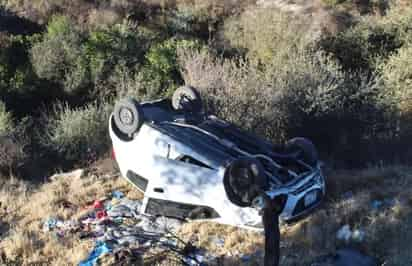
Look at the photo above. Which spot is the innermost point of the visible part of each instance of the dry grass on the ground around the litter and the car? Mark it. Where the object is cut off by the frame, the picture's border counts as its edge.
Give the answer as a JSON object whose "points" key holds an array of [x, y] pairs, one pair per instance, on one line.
{"points": [[24, 208]]}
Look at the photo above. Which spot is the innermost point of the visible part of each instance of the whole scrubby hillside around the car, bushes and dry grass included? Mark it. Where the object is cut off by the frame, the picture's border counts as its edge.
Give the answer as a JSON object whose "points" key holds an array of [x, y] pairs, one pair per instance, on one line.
{"points": [[336, 72]]}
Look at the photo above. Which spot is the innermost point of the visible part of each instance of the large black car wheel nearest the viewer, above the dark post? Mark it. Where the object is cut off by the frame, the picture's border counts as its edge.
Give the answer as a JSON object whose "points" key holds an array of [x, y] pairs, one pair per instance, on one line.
{"points": [[244, 180]]}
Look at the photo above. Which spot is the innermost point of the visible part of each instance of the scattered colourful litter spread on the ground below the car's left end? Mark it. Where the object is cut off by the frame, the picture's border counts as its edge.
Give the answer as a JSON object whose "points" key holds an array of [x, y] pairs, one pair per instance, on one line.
{"points": [[119, 230]]}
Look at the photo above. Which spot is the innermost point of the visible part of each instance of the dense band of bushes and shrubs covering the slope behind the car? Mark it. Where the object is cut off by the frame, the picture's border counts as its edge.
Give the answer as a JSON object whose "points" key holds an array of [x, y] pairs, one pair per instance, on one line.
{"points": [[350, 91]]}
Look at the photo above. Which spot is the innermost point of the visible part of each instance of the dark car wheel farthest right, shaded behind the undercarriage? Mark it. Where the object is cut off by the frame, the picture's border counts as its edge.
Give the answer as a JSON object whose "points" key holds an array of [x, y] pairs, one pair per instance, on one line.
{"points": [[307, 149]]}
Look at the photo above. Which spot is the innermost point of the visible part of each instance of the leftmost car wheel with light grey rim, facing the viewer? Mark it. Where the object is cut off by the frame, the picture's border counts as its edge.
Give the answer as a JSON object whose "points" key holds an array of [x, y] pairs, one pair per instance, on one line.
{"points": [[128, 116]]}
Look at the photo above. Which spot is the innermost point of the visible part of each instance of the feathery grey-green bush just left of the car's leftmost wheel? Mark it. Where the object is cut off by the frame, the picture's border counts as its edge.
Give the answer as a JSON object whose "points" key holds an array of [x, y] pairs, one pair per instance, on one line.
{"points": [[77, 134]]}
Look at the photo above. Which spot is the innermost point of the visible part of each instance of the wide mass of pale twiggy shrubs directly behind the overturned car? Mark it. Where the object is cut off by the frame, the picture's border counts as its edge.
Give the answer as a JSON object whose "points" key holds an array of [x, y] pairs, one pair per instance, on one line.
{"points": [[284, 100]]}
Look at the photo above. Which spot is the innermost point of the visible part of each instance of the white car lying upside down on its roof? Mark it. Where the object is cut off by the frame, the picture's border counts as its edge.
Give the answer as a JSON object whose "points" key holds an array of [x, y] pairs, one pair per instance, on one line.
{"points": [[190, 165]]}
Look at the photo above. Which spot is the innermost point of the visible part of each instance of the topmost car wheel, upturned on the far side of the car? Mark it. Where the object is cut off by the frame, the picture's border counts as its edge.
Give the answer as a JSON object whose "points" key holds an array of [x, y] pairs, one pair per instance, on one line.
{"points": [[187, 99]]}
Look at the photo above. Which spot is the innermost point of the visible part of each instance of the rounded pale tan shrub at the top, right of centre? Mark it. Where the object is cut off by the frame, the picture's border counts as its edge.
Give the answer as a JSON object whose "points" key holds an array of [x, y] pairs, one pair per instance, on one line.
{"points": [[267, 34]]}
